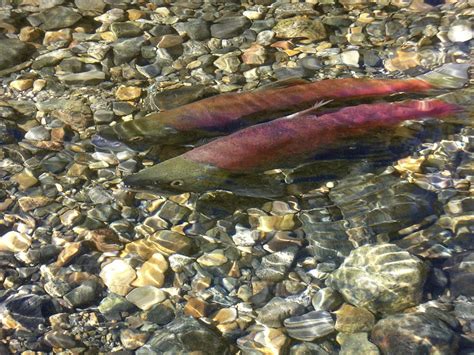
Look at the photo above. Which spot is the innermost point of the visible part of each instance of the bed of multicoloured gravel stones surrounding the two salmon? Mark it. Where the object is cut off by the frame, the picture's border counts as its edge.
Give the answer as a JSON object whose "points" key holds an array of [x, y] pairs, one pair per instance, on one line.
{"points": [[378, 260]]}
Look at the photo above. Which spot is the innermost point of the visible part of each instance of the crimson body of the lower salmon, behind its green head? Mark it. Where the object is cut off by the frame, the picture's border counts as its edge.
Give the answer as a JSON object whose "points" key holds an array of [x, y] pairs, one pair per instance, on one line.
{"points": [[268, 144]]}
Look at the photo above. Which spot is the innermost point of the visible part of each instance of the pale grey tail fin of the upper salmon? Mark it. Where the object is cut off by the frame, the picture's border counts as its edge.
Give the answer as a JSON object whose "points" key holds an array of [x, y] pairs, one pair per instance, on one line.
{"points": [[448, 76]]}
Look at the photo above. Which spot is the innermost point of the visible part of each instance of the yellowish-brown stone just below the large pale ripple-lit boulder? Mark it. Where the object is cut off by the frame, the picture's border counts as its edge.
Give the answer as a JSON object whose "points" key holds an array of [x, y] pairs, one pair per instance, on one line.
{"points": [[350, 319]]}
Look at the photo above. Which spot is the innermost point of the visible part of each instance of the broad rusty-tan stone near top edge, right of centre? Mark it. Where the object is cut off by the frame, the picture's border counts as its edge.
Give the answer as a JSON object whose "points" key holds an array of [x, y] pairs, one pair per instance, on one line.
{"points": [[300, 26]]}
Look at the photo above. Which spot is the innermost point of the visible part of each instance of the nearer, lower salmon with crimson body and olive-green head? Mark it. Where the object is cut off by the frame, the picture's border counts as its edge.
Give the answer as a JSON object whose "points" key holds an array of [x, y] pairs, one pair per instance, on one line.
{"points": [[230, 162]]}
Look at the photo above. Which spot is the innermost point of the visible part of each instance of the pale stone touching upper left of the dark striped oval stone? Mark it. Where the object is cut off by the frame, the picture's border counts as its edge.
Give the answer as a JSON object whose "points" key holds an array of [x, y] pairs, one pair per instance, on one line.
{"points": [[278, 309]]}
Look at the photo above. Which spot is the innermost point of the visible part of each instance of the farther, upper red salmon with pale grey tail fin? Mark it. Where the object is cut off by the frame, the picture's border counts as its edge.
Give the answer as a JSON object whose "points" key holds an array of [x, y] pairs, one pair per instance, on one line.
{"points": [[222, 114]]}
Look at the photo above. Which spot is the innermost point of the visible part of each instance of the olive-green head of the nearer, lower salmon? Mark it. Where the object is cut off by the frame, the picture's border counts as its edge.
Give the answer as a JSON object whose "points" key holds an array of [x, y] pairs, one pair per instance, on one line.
{"points": [[177, 175]]}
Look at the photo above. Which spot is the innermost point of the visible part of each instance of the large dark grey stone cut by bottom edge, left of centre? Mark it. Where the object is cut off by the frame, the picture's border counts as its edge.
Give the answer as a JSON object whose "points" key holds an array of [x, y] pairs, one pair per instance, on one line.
{"points": [[186, 335]]}
